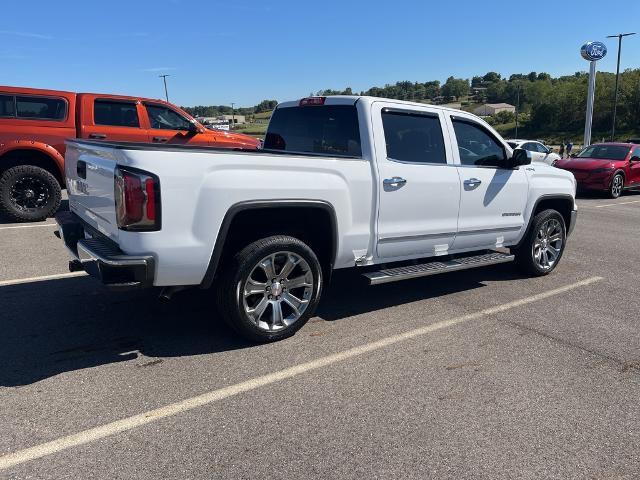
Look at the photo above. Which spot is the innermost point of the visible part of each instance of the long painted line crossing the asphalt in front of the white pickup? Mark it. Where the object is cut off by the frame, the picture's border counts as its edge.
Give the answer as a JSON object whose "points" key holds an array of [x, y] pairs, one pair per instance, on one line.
{"points": [[136, 421]]}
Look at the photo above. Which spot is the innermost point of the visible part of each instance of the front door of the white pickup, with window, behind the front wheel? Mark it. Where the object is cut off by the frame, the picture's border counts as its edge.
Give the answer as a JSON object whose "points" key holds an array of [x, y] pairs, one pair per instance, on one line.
{"points": [[493, 199]]}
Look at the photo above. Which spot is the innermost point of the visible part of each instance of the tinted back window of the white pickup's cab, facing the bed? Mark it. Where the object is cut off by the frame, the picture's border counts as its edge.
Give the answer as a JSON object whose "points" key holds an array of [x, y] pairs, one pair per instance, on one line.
{"points": [[327, 129]]}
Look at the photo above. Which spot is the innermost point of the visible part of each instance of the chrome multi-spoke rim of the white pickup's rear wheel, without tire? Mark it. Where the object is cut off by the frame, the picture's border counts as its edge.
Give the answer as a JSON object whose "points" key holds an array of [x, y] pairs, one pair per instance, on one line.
{"points": [[278, 290]]}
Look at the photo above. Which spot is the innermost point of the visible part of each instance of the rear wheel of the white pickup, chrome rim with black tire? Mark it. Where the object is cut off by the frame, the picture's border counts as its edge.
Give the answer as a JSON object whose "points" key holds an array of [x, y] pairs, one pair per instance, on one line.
{"points": [[270, 289]]}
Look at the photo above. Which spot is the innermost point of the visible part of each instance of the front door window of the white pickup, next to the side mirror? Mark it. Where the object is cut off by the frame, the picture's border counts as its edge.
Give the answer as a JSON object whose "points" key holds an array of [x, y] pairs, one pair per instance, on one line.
{"points": [[476, 146]]}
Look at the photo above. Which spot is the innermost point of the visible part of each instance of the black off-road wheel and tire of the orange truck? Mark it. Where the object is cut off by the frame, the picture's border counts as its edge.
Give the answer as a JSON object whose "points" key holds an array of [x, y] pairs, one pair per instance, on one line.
{"points": [[29, 193]]}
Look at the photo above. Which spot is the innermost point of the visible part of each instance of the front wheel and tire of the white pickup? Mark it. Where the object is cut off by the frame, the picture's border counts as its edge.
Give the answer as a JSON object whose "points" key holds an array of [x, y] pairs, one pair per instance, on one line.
{"points": [[544, 244]]}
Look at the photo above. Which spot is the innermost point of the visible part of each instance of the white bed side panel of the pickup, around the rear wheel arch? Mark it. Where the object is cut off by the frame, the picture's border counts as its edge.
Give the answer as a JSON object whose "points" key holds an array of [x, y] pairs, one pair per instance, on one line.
{"points": [[198, 188]]}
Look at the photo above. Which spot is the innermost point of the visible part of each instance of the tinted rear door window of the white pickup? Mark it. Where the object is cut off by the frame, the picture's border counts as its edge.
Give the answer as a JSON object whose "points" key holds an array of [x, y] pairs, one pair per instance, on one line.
{"points": [[413, 137]]}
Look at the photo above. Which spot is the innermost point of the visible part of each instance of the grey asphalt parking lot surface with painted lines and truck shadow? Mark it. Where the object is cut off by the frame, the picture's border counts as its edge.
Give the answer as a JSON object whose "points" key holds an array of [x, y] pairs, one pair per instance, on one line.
{"points": [[482, 373]]}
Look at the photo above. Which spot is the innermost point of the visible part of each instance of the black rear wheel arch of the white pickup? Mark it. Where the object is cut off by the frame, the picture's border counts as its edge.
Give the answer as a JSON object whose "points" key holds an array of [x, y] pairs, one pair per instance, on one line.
{"points": [[318, 227]]}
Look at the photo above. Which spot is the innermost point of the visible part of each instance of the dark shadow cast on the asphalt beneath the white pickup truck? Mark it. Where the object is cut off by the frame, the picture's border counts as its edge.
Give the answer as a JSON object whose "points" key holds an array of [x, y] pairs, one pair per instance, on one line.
{"points": [[58, 326]]}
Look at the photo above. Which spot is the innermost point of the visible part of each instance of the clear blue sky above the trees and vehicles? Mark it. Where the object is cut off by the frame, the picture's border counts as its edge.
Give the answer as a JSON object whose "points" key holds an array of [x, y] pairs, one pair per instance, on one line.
{"points": [[244, 51]]}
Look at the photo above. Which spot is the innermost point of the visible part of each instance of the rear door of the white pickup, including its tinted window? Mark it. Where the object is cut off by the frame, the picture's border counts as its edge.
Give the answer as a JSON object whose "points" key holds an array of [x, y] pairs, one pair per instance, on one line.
{"points": [[419, 191]]}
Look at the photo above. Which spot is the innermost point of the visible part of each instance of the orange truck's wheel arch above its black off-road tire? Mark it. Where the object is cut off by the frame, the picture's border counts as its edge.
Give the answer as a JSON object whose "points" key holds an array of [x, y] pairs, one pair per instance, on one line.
{"points": [[33, 153]]}
